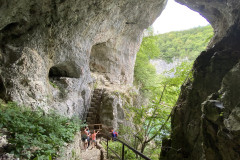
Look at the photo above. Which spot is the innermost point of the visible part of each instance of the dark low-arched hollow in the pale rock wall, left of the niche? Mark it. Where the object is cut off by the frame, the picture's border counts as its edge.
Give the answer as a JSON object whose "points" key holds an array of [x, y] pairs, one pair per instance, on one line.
{"points": [[64, 70]]}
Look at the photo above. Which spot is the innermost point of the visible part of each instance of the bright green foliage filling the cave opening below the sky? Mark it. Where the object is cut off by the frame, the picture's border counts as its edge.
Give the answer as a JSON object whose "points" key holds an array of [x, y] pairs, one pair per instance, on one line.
{"points": [[152, 120]]}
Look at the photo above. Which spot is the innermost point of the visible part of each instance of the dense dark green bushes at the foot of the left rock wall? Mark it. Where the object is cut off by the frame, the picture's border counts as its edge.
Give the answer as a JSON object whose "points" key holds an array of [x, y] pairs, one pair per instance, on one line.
{"points": [[35, 134]]}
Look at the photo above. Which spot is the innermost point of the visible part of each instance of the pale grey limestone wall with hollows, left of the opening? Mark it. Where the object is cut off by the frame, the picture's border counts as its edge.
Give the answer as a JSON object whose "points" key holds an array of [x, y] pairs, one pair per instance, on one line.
{"points": [[48, 47]]}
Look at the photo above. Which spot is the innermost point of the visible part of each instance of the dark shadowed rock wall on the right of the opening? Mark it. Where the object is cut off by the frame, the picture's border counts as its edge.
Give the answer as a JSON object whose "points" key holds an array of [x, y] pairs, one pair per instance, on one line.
{"points": [[205, 121]]}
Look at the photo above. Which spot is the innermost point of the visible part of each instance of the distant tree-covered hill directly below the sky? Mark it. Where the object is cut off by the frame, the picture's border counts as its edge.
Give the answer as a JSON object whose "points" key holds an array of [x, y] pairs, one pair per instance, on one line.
{"points": [[180, 44]]}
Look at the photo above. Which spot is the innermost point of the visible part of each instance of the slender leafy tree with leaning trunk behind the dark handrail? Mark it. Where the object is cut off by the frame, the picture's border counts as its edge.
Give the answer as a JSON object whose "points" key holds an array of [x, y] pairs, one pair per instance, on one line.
{"points": [[152, 120]]}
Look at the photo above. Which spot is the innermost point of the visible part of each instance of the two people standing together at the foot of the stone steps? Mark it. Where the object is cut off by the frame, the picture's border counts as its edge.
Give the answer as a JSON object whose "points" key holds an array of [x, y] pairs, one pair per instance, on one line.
{"points": [[89, 138]]}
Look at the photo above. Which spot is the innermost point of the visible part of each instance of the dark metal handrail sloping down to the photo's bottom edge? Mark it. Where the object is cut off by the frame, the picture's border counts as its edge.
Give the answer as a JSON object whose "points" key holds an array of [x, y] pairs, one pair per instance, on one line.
{"points": [[125, 144]]}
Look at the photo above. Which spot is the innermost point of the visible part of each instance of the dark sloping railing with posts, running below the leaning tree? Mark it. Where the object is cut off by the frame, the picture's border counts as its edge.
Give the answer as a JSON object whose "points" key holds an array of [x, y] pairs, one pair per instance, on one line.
{"points": [[123, 146]]}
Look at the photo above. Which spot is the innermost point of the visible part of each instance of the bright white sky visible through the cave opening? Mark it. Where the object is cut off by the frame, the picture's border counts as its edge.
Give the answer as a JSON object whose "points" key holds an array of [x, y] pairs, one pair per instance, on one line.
{"points": [[177, 17]]}
